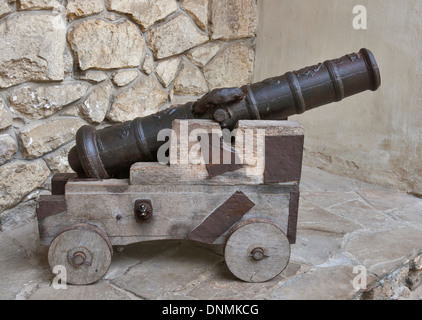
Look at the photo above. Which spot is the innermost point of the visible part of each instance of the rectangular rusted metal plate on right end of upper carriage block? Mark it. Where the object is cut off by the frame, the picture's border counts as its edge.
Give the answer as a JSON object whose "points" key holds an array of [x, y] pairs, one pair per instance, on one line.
{"points": [[283, 158]]}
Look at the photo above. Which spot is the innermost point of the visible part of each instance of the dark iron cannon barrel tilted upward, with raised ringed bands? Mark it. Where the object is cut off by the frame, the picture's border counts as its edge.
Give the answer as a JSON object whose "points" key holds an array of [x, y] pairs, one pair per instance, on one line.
{"points": [[111, 151]]}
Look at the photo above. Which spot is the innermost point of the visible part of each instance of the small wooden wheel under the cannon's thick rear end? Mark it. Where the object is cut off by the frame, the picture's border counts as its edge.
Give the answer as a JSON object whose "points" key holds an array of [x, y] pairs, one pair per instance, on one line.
{"points": [[84, 250]]}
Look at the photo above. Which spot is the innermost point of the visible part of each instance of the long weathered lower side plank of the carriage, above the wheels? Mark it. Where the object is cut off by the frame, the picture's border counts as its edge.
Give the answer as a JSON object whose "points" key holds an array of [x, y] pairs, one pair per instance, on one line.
{"points": [[178, 209]]}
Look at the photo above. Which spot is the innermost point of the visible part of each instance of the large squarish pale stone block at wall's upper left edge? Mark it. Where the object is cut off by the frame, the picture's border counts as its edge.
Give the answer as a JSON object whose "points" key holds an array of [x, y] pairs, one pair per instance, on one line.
{"points": [[32, 48]]}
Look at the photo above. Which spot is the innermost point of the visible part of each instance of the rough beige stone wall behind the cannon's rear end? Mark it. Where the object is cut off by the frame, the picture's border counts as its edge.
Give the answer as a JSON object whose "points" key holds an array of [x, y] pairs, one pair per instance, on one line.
{"points": [[64, 64]]}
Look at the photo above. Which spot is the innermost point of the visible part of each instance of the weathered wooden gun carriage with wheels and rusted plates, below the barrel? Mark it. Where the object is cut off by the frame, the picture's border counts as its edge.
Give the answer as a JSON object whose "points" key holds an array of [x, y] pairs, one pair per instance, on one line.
{"points": [[250, 207]]}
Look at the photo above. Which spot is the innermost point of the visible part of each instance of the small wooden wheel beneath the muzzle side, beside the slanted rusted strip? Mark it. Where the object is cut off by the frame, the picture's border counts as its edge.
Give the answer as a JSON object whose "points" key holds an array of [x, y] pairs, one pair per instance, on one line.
{"points": [[256, 250]]}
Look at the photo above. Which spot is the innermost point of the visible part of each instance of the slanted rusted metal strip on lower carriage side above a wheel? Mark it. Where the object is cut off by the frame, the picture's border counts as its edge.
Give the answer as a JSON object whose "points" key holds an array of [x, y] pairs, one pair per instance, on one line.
{"points": [[225, 216]]}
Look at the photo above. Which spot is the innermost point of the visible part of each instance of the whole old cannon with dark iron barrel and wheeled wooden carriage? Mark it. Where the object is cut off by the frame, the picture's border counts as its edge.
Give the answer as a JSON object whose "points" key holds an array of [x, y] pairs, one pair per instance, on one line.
{"points": [[120, 194]]}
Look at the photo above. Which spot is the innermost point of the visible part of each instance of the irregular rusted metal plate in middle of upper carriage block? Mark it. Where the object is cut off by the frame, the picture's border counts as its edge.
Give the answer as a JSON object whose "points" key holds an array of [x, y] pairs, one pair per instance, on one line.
{"points": [[219, 168]]}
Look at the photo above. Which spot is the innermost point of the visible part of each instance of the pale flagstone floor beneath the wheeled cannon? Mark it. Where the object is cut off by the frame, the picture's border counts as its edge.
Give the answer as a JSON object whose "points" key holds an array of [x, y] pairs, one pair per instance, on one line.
{"points": [[347, 229]]}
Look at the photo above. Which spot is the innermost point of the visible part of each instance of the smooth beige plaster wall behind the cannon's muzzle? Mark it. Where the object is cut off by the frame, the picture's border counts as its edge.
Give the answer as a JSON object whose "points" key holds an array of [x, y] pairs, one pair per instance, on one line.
{"points": [[375, 137]]}
